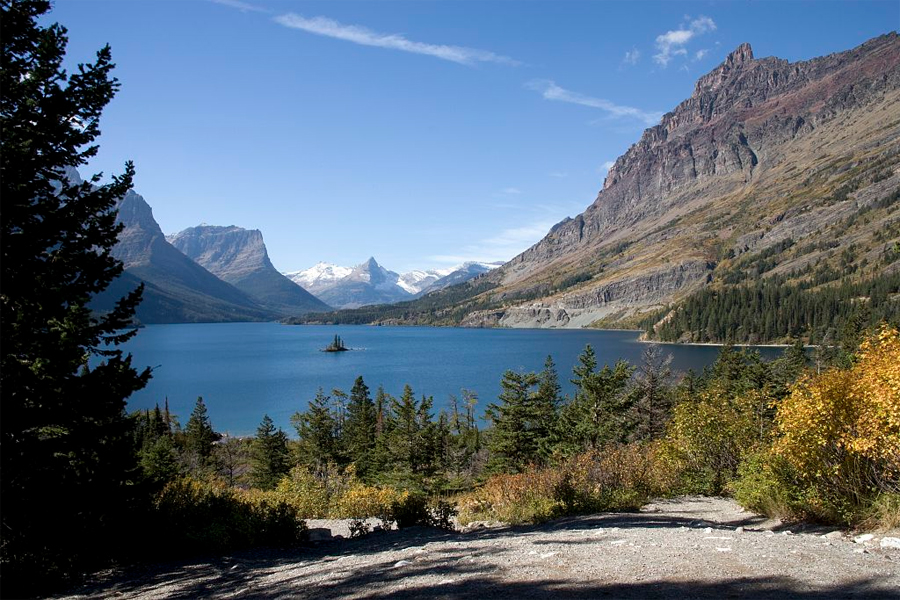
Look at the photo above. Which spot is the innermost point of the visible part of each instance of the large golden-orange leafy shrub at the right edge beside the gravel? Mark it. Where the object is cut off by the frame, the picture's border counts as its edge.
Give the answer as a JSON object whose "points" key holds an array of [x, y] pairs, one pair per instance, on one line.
{"points": [[840, 431]]}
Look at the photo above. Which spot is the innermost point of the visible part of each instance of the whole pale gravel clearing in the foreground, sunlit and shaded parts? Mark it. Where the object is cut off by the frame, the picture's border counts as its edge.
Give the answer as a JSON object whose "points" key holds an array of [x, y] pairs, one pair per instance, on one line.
{"points": [[683, 548]]}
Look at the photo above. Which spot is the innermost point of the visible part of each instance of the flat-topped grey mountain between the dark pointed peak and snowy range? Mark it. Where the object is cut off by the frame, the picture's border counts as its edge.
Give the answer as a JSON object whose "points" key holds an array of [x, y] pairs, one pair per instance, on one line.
{"points": [[239, 257]]}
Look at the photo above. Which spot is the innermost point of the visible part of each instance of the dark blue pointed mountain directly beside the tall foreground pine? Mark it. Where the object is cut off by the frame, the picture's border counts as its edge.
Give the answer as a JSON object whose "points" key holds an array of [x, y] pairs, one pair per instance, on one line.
{"points": [[177, 289]]}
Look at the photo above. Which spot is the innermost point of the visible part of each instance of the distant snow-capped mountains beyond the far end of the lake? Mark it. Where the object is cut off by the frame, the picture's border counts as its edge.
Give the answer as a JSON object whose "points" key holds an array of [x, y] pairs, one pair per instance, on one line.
{"points": [[370, 283]]}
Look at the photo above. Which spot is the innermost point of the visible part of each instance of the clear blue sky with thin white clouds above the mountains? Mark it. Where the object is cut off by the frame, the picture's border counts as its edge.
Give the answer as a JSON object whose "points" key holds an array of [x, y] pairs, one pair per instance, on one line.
{"points": [[422, 133]]}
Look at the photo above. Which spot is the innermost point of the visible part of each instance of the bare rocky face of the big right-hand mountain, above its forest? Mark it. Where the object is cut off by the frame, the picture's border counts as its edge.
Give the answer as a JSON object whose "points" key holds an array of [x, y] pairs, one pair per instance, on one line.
{"points": [[759, 143]]}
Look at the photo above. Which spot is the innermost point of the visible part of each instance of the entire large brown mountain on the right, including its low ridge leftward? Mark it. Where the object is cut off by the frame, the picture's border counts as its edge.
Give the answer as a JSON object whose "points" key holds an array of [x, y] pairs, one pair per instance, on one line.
{"points": [[771, 174]]}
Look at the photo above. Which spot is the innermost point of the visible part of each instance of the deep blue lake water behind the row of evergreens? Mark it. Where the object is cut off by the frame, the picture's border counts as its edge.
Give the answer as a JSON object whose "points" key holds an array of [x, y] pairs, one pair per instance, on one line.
{"points": [[246, 370]]}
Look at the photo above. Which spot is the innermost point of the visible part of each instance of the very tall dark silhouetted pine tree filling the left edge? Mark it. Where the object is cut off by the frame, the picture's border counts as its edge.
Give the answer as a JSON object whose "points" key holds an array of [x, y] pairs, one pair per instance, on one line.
{"points": [[65, 445]]}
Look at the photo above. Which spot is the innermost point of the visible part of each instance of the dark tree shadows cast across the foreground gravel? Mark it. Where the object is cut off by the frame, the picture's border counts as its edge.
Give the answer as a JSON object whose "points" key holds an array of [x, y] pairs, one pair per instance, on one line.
{"points": [[460, 569]]}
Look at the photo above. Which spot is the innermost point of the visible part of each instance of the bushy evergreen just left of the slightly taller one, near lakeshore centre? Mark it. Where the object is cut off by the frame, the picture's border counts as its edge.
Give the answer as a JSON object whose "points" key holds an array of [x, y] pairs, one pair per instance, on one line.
{"points": [[513, 444]]}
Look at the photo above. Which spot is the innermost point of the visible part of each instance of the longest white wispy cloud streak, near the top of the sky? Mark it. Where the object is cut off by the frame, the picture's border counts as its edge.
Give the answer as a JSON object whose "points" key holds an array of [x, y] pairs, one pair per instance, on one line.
{"points": [[366, 37]]}
